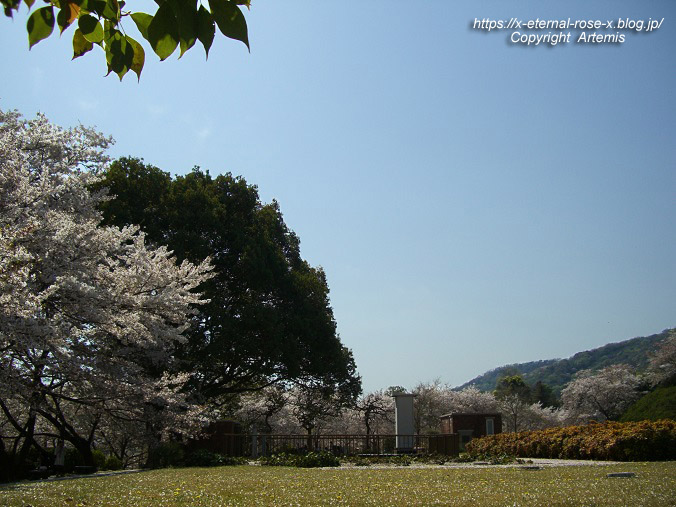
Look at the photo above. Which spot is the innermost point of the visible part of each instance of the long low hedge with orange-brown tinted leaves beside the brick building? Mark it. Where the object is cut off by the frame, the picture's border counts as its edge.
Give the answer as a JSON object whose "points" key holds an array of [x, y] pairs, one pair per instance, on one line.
{"points": [[629, 441]]}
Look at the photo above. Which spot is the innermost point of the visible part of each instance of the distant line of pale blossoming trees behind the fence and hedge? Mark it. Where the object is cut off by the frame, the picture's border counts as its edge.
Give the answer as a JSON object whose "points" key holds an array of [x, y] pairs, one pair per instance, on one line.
{"points": [[616, 392]]}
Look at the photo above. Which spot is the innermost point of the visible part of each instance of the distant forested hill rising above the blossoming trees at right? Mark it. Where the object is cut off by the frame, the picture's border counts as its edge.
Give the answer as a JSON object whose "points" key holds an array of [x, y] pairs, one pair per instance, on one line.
{"points": [[558, 372]]}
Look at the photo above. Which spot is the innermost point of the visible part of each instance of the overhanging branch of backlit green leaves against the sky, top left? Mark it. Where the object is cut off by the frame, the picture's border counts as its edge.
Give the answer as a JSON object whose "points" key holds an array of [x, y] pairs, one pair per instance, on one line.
{"points": [[175, 24]]}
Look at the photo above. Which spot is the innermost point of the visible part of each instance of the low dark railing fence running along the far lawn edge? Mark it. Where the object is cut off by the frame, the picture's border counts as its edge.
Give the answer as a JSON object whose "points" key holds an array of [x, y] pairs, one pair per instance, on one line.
{"points": [[264, 444]]}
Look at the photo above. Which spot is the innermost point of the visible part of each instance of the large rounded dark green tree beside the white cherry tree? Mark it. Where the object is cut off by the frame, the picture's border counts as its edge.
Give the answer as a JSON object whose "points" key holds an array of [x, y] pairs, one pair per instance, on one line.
{"points": [[269, 319]]}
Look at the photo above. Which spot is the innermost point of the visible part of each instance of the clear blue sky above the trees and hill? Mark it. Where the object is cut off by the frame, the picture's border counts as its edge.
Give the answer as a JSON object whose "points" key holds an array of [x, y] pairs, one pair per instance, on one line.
{"points": [[473, 203]]}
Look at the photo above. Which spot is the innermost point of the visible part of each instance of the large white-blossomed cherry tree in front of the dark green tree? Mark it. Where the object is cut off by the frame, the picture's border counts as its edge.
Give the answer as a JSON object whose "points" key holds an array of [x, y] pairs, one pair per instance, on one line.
{"points": [[89, 315]]}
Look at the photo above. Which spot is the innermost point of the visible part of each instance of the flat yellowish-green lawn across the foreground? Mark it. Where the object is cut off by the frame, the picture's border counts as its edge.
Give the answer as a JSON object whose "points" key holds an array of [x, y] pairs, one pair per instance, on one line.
{"points": [[655, 484]]}
